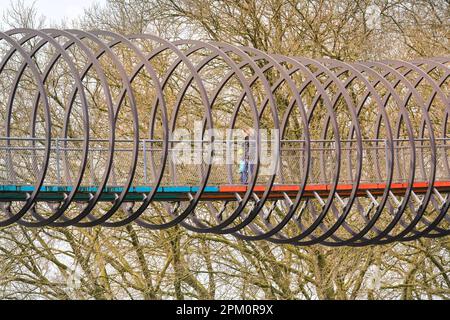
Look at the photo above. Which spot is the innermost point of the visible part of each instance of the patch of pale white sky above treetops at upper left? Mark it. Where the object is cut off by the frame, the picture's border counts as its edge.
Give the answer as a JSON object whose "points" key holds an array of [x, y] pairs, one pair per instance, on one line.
{"points": [[56, 10]]}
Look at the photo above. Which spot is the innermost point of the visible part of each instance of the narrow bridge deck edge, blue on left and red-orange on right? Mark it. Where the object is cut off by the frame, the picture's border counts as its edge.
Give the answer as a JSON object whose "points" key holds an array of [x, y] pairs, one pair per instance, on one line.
{"points": [[225, 192]]}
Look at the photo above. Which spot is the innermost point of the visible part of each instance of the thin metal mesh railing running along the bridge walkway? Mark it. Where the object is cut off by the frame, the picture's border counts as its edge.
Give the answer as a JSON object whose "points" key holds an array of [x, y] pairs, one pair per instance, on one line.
{"points": [[22, 160]]}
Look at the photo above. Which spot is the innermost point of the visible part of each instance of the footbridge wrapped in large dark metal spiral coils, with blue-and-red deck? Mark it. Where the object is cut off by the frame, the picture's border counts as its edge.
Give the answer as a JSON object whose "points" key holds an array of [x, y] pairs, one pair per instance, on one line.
{"points": [[100, 129]]}
